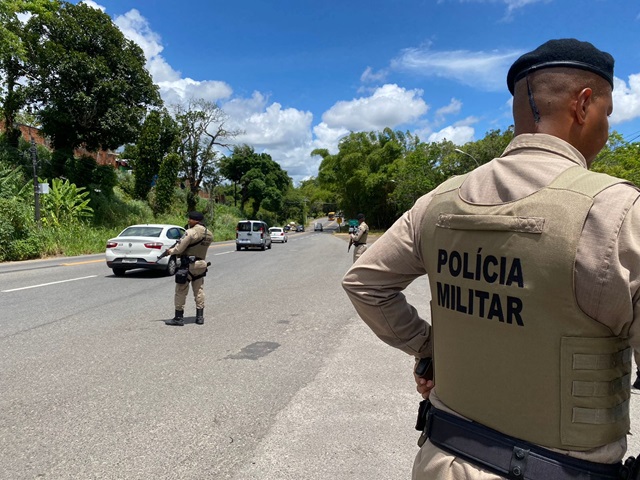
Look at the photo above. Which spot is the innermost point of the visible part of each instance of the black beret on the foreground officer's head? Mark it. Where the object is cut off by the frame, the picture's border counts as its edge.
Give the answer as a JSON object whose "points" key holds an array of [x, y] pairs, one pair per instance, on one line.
{"points": [[566, 52]]}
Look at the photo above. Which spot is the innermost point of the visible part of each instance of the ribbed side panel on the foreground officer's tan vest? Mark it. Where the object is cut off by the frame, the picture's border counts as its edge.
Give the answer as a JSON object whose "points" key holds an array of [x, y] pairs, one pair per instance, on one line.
{"points": [[595, 378]]}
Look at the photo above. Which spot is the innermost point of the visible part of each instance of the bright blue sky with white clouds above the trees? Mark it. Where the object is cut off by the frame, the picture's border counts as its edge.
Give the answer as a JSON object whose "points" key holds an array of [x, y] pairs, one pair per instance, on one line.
{"points": [[297, 75]]}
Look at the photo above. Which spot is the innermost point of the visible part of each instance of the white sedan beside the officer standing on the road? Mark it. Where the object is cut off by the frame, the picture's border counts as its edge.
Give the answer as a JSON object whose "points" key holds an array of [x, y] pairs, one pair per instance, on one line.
{"points": [[138, 246]]}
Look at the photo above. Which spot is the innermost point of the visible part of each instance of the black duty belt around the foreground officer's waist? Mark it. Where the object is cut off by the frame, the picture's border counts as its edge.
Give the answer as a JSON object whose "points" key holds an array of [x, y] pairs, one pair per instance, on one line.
{"points": [[509, 457]]}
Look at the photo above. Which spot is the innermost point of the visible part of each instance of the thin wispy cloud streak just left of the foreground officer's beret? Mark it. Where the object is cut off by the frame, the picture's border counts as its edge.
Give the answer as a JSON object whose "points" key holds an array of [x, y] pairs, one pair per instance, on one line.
{"points": [[483, 70]]}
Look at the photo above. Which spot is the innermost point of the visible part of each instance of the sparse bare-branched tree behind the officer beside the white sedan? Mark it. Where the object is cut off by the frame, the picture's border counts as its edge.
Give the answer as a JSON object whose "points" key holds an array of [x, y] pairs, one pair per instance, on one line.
{"points": [[201, 129]]}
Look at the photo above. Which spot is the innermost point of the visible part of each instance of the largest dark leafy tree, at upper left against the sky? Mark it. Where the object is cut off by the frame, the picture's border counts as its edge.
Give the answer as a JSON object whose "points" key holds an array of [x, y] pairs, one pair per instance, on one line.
{"points": [[87, 80]]}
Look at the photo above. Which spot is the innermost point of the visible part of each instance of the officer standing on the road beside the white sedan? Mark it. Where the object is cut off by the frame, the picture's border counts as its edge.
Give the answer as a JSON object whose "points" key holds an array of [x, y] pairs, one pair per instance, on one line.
{"points": [[192, 252]]}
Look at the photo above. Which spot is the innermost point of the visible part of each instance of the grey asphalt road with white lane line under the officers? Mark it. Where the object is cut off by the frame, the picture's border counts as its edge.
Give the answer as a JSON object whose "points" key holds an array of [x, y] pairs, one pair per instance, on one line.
{"points": [[281, 382]]}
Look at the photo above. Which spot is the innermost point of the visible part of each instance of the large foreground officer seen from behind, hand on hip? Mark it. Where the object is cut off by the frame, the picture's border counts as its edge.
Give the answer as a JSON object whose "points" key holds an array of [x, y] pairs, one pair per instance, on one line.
{"points": [[534, 271]]}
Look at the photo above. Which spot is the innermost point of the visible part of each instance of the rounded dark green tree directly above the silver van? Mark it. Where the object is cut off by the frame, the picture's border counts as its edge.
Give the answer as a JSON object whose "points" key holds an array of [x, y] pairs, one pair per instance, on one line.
{"points": [[260, 178]]}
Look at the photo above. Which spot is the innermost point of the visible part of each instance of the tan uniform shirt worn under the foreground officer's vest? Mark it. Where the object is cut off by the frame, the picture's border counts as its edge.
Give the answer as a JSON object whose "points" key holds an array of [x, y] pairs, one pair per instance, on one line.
{"points": [[607, 271]]}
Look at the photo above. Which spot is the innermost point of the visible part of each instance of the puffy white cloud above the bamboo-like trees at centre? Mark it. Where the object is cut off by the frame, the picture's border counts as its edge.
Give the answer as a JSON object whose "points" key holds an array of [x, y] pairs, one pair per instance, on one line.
{"points": [[389, 106]]}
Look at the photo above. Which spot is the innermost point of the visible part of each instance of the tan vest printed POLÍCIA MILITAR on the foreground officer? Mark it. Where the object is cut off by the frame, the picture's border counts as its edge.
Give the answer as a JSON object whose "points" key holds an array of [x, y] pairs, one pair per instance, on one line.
{"points": [[512, 349]]}
